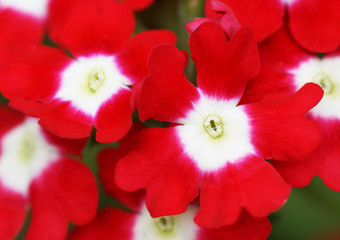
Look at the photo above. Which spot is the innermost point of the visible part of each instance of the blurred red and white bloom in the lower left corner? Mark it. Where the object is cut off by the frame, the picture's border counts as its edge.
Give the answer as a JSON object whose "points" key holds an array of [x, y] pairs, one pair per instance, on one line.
{"points": [[37, 172]]}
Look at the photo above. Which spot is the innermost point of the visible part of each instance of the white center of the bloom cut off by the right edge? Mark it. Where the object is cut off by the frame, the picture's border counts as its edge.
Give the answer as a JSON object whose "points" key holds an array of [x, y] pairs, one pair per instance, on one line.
{"points": [[324, 72]]}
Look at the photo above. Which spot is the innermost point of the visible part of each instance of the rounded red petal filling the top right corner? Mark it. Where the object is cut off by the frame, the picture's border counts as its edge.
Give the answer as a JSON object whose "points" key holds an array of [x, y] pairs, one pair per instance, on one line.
{"points": [[312, 23]]}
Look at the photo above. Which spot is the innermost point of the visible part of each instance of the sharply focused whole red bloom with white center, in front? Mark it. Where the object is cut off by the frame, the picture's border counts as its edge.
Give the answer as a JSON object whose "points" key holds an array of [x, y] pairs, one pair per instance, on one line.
{"points": [[216, 147]]}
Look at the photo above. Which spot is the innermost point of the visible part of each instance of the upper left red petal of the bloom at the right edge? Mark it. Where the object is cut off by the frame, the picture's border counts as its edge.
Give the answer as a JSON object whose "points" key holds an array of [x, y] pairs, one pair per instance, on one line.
{"points": [[279, 54]]}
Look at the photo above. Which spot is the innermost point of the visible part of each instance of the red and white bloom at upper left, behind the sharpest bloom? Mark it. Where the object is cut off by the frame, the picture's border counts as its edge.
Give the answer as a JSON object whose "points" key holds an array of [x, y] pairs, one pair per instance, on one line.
{"points": [[69, 95]]}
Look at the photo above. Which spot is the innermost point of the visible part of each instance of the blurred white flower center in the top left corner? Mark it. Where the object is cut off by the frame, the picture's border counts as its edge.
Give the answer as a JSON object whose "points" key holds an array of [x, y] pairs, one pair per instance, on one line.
{"points": [[38, 8]]}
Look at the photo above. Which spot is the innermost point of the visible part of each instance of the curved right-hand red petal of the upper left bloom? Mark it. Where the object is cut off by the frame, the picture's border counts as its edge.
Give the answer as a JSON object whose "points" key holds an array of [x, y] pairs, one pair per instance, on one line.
{"points": [[134, 57]]}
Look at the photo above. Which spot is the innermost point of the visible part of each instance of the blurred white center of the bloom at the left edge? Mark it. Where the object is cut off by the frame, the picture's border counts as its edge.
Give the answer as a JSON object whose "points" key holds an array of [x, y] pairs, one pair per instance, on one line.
{"points": [[25, 154]]}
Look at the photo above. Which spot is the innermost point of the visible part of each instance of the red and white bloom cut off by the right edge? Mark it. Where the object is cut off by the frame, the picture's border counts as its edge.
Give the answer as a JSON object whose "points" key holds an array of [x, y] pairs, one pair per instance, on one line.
{"points": [[285, 68]]}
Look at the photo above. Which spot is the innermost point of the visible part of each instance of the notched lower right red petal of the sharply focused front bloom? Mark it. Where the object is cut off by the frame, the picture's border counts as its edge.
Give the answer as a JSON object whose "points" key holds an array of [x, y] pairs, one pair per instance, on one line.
{"points": [[253, 184]]}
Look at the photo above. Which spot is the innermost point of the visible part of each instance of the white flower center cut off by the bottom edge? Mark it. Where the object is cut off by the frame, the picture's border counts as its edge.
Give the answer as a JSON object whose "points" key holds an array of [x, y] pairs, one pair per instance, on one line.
{"points": [[176, 227]]}
